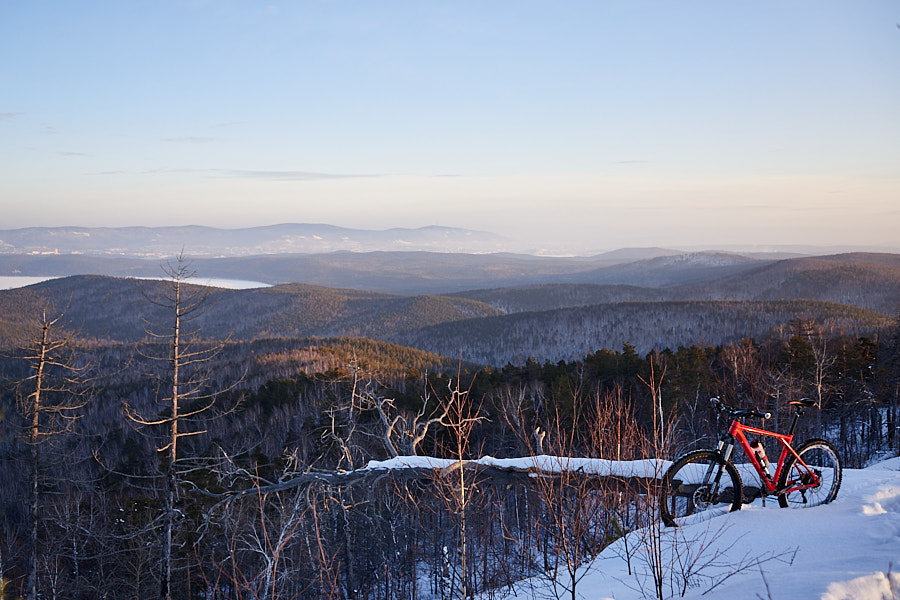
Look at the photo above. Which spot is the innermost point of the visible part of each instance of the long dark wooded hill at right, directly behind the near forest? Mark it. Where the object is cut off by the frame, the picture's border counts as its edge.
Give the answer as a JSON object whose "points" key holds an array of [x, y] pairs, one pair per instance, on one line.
{"points": [[570, 333]]}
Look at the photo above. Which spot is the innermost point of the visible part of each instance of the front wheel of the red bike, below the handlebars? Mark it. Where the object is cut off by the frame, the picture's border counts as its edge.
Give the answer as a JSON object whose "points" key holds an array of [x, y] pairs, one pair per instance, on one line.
{"points": [[684, 493]]}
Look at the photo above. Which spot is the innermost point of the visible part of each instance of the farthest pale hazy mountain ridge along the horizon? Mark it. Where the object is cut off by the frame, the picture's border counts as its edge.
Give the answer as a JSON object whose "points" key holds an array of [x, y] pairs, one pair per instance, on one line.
{"points": [[317, 238]]}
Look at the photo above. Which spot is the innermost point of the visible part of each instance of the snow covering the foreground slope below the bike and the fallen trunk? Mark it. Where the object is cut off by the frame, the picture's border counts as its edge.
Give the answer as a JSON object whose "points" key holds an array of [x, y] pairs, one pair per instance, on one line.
{"points": [[846, 550]]}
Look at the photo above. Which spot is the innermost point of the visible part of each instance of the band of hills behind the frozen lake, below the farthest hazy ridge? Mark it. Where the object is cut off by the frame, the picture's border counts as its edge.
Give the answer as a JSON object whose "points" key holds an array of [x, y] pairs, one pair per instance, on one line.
{"points": [[866, 280]]}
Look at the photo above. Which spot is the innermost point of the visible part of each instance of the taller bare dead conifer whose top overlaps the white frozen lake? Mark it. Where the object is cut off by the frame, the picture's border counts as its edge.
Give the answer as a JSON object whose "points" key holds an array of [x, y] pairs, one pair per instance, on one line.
{"points": [[186, 399]]}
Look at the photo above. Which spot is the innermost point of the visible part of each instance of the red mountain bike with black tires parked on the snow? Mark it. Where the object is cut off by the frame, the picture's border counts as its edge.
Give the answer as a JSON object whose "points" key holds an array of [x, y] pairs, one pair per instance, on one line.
{"points": [[704, 480]]}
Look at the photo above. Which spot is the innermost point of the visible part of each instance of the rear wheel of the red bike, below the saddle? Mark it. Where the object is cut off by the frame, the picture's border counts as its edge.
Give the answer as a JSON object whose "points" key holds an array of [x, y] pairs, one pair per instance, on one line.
{"points": [[824, 459]]}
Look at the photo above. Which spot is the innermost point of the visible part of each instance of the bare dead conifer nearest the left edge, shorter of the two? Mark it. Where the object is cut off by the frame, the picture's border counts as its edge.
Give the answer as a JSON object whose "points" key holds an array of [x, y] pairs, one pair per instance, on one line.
{"points": [[49, 399]]}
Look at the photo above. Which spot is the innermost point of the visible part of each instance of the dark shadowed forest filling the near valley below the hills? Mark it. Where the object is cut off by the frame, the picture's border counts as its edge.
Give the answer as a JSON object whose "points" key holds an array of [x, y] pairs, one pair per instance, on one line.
{"points": [[254, 503]]}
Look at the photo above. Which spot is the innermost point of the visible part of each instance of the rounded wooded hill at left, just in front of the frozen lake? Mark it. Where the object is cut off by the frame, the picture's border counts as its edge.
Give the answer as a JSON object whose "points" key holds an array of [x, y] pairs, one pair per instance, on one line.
{"points": [[107, 308]]}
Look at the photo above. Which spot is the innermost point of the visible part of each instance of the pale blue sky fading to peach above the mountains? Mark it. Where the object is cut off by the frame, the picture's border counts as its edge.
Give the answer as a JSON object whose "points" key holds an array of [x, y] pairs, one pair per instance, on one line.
{"points": [[600, 124]]}
